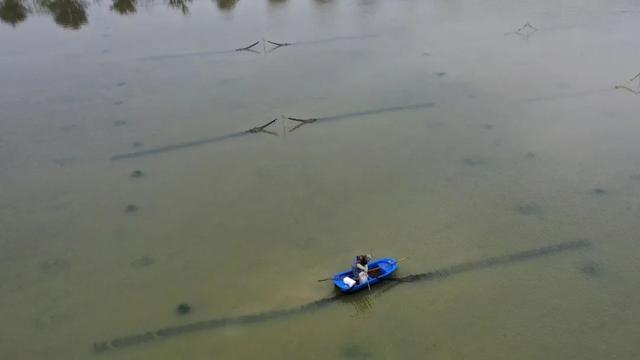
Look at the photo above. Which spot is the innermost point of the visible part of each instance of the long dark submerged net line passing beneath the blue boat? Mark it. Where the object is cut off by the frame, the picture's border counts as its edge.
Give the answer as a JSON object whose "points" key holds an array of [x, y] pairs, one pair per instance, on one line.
{"points": [[438, 274]]}
